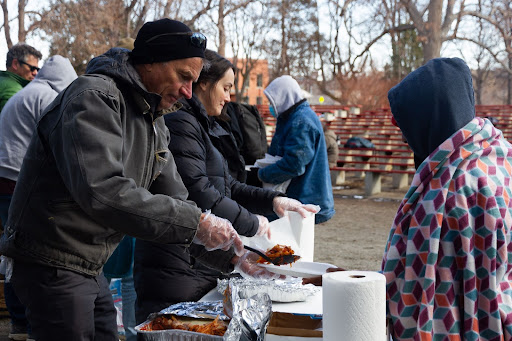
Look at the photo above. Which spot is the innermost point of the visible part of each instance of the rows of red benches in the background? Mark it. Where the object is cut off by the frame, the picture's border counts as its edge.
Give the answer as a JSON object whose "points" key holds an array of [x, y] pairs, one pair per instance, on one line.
{"points": [[391, 156]]}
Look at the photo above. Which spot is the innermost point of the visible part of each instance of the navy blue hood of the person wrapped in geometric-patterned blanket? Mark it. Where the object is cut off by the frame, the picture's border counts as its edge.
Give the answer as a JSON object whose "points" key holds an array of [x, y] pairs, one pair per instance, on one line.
{"points": [[432, 103]]}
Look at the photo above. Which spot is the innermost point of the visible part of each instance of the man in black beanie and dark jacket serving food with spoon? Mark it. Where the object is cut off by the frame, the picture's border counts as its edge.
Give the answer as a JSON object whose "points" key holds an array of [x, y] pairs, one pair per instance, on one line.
{"points": [[98, 167]]}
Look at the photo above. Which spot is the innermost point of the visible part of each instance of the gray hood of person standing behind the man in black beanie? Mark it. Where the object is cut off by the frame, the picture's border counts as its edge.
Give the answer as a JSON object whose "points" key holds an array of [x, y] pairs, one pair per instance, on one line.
{"points": [[57, 72]]}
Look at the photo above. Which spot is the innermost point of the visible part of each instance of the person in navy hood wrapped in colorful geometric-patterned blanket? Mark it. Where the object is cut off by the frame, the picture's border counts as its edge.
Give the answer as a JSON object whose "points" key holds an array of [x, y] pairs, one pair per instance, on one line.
{"points": [[447, 261]]}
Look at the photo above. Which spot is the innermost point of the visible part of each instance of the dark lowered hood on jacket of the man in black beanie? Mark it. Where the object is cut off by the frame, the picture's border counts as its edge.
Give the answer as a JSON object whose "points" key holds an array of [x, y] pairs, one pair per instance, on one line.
{"points": [[115, 63]]}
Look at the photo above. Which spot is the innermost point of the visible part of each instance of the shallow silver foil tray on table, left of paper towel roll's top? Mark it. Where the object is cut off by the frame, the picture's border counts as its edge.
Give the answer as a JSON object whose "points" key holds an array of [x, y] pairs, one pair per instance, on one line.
{"points": [[290, 290]]}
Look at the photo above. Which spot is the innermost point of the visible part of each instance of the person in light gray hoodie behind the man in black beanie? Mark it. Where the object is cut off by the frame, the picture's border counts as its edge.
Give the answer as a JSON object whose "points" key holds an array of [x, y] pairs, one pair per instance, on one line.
{"points": [[17, 123]]}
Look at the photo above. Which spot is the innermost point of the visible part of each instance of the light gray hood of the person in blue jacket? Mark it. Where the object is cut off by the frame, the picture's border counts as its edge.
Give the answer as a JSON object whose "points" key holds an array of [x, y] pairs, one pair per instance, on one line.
{"points": [[283, 93]]}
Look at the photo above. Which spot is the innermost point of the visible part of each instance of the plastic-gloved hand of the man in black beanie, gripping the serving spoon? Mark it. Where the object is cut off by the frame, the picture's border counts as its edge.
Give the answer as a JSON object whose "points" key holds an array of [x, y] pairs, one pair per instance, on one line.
{"points": [[217, 233]]}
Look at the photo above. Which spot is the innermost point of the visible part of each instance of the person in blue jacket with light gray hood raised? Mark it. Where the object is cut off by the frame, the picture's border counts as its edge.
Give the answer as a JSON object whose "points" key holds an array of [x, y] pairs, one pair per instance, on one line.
{"points": [[299, 140]]}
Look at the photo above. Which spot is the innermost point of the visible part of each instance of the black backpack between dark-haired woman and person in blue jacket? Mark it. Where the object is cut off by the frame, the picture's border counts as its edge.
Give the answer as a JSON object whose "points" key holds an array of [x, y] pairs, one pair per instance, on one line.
{"points": [[253, 144]]}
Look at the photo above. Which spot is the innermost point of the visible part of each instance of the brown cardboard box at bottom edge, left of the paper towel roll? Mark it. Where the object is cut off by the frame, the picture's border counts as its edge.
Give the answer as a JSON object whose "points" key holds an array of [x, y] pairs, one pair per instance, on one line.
{"points": [[292, 327]]}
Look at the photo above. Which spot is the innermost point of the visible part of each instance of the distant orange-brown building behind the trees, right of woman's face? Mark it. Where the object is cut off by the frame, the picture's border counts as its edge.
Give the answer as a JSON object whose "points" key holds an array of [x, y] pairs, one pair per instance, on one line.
{"points": [[254, 84]]}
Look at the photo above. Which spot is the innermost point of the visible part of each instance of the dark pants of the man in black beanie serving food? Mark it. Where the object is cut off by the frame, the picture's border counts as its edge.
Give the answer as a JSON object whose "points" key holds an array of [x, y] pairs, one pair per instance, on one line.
{"points": [[65, 305]]}
